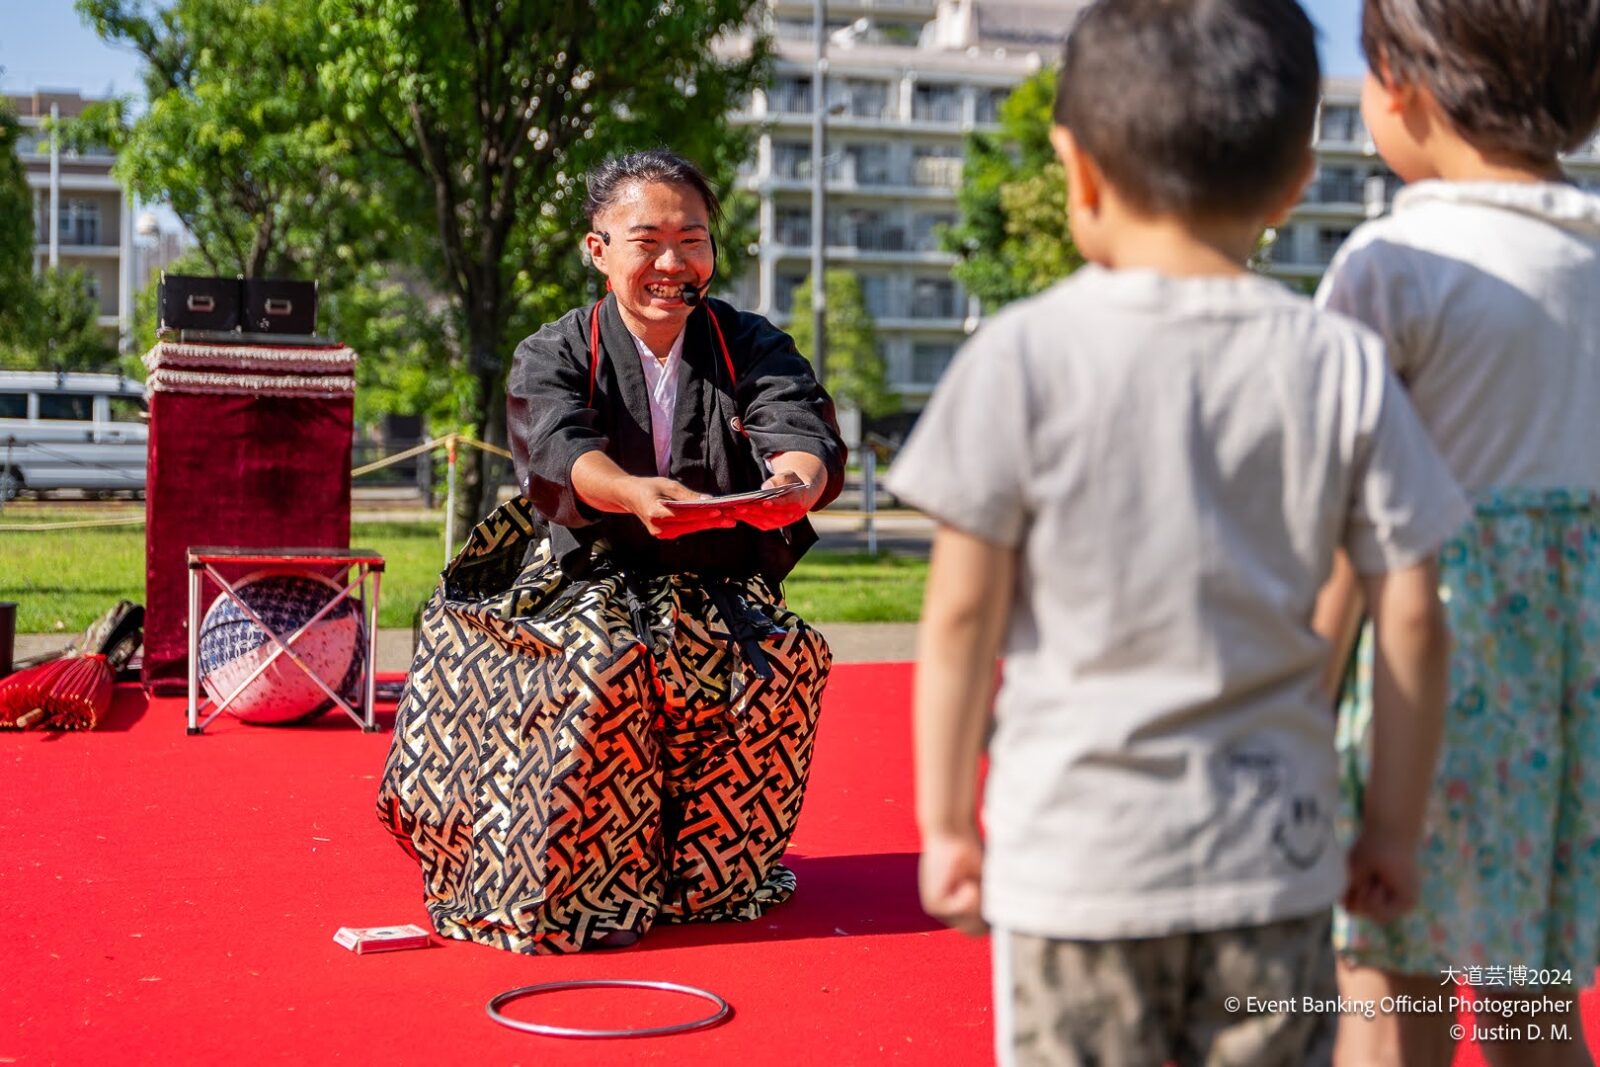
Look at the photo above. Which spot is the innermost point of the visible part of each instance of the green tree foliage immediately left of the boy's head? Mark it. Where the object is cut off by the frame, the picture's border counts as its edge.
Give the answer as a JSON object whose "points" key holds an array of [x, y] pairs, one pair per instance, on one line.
{"points": [[1014, 234]]}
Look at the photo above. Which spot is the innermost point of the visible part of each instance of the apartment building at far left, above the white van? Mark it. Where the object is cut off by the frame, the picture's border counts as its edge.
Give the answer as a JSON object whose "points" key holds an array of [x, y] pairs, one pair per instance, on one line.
{"points": [[82, 217]]}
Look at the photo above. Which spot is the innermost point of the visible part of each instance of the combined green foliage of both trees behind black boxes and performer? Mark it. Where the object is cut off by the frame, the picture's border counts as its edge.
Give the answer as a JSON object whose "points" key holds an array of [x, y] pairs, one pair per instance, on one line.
{"points": [[423, 161]]}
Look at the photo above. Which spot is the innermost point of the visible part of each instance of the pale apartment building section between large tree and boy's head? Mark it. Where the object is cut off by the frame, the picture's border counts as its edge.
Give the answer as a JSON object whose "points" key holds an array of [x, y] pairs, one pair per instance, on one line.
{"points": [[906, 82]]}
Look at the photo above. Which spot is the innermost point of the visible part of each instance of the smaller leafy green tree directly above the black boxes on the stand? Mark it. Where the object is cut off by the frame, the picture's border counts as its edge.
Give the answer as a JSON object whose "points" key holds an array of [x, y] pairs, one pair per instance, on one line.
{"points": [[236, 137]]}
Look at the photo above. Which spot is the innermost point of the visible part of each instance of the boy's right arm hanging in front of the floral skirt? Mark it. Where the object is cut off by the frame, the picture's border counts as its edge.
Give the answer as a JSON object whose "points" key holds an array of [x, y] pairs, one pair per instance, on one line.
{"points": [[1410, 679]]}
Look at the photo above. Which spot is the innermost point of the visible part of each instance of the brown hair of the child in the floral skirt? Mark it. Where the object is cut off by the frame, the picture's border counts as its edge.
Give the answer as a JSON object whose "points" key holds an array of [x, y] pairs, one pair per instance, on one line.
{"points": [[1519, 78]]}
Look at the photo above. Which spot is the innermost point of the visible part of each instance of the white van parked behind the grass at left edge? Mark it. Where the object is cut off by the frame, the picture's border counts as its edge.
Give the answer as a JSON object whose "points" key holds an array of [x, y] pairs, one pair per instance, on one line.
{"points": [[68, 431]]}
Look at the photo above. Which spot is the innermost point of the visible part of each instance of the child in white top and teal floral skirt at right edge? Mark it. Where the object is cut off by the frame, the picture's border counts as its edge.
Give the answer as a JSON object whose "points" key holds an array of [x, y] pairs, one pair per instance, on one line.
{"points": [[1486, 287]]}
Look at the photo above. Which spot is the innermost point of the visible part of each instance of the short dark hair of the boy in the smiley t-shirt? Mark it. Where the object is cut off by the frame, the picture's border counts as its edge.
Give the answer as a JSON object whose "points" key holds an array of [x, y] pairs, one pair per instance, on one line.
{"points": [[1198, 108]]}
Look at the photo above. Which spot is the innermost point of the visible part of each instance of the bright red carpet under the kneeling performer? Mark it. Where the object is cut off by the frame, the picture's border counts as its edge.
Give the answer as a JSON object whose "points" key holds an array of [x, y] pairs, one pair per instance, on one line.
{"points": [[175, 900]]}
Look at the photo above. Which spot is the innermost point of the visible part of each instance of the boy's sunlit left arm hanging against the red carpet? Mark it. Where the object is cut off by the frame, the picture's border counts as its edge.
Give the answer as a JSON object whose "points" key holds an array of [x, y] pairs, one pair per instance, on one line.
{"points": [[964, 618]]}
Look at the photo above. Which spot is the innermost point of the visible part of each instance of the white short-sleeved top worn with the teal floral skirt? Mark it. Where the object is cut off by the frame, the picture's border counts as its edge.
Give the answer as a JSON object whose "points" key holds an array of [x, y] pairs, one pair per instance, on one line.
{"points": [[1489, 300]]}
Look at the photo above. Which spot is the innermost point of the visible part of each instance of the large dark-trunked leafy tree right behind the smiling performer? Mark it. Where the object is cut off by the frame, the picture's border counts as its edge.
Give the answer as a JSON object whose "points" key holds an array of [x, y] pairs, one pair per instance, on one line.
{"points": [[494, 113]]}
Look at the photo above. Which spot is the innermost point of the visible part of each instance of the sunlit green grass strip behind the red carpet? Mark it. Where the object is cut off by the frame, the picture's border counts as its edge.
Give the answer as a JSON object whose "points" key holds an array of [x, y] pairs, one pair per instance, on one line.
{"points": [[63, 580]]}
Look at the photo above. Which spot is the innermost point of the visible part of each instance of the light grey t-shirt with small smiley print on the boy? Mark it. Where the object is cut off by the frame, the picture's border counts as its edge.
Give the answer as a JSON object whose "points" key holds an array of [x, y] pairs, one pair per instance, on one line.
{"points": [[1175, 462]]}
